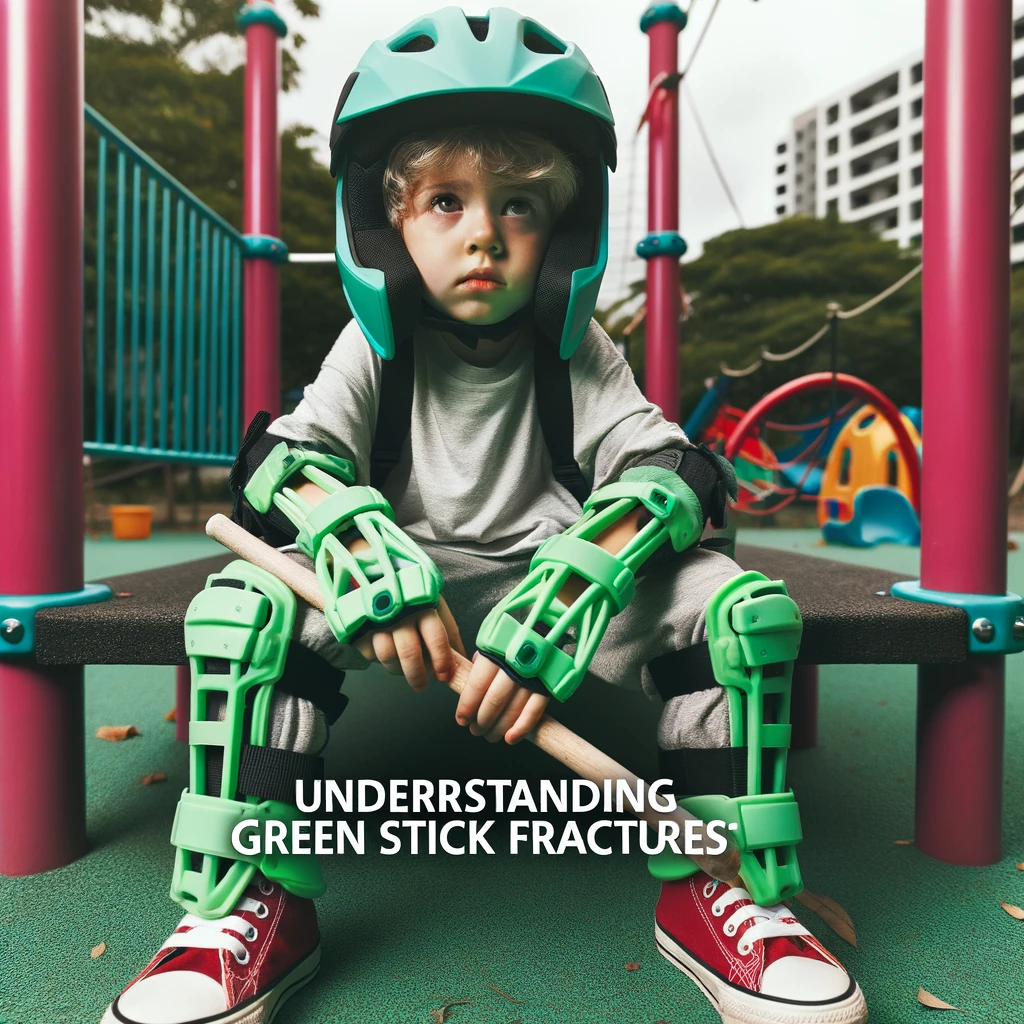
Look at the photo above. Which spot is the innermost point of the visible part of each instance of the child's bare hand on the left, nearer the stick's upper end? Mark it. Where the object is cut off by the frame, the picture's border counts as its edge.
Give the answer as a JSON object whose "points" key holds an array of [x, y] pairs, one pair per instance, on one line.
{"points": [[399, 647]]}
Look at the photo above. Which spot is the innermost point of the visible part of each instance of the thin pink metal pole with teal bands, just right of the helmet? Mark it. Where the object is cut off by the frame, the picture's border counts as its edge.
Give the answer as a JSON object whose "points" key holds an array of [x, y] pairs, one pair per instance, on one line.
{"points": [[663, 24]]}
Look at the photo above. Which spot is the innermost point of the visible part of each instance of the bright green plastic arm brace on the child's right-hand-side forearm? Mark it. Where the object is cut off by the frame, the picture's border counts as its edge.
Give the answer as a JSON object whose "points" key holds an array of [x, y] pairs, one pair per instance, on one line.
{"points": [[509, 632]]}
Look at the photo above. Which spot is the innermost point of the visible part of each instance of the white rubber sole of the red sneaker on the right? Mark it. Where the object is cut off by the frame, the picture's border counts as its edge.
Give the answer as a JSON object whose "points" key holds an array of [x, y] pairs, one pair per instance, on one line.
{"points": [[739, 1007]]}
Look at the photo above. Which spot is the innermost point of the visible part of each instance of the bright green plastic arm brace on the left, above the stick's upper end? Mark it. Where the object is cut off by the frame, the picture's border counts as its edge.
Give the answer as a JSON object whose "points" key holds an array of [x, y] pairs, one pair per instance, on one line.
{"points": [[362, 590]]}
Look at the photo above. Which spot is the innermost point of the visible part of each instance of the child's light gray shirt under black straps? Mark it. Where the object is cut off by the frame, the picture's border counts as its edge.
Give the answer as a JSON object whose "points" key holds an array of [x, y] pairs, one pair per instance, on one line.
{"points": [[475, 473]]}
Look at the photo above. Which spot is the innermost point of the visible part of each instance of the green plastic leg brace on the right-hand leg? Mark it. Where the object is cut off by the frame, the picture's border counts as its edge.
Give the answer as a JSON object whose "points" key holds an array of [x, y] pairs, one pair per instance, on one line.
{"points": [[754, 631]]}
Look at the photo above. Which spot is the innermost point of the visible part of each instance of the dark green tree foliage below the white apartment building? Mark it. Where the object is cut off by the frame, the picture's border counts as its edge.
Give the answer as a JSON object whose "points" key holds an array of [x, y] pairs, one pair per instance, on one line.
{"points": [[769, 288]]}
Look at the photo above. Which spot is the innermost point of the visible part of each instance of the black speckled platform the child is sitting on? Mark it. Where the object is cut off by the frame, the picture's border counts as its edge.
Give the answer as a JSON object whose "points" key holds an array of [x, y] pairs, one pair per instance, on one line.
{"points": [[845, 621]]}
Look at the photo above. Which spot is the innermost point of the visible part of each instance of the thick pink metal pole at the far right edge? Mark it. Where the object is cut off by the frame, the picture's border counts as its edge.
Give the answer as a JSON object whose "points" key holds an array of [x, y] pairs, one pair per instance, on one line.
{"points": [[965, 385]]}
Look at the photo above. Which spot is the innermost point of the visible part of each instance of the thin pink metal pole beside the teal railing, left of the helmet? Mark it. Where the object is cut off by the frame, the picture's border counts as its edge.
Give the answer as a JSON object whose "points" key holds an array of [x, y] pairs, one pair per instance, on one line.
{"points": [[262, 218]]}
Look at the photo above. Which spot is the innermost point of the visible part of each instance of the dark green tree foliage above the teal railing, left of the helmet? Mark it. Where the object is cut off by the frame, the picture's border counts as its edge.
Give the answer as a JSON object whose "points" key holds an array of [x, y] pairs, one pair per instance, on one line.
{"points": [[191, 123]]}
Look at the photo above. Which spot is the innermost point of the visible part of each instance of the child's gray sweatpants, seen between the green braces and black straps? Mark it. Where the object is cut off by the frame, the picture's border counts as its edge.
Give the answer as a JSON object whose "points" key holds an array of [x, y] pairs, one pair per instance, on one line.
{"points": [[667, 615]]}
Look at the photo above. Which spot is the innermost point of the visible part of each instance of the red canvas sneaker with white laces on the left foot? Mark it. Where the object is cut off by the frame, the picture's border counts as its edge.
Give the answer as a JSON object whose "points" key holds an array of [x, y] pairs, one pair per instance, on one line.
{"points": [[234, 970]]}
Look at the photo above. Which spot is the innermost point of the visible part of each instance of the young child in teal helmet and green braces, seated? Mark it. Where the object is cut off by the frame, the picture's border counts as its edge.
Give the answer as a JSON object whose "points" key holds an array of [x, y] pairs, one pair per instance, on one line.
{"points": [[485, 410]]}
